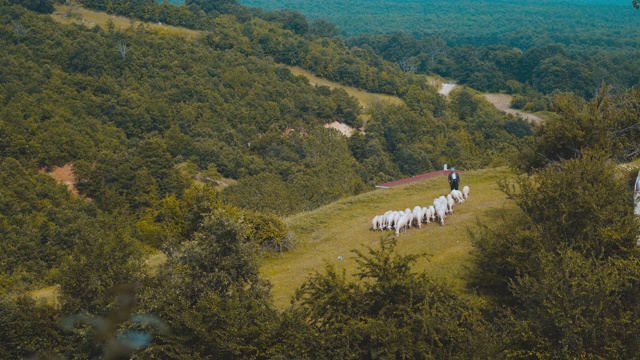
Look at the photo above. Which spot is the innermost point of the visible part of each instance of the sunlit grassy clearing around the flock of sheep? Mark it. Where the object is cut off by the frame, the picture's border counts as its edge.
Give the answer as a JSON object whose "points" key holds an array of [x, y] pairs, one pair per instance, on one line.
{"points": [[334, 230]]}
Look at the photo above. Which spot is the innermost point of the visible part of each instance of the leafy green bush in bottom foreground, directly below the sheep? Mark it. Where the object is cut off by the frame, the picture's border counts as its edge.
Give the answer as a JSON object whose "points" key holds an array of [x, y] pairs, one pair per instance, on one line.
{"points": [[388, 312]]}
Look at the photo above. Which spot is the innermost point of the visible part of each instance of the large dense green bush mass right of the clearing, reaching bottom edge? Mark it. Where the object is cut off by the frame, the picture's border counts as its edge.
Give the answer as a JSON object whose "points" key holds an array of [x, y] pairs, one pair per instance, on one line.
{"points": [[561, 266]]}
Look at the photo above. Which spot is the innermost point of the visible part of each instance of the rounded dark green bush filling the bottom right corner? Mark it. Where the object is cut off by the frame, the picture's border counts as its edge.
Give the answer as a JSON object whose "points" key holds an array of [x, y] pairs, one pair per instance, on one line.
{"points": [[576, 307]]}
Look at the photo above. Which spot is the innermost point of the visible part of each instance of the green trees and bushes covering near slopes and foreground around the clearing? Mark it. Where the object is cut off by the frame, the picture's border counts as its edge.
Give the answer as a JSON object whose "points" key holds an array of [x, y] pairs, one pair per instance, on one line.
{"points": [[143, 115]]}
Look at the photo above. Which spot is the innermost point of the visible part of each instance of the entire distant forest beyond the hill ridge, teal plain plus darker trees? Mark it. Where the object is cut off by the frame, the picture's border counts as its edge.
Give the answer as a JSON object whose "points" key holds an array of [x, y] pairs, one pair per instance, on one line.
{"points": [[526, 48]]}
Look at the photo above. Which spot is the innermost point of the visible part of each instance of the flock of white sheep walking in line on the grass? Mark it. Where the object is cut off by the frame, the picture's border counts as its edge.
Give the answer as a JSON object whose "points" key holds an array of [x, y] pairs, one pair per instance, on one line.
{"points": [[402, 220]]}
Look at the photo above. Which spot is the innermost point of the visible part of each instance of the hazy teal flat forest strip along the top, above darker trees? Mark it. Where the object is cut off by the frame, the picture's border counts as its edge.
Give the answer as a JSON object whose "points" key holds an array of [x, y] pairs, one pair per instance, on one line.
{"points": [[506, 22]]}
